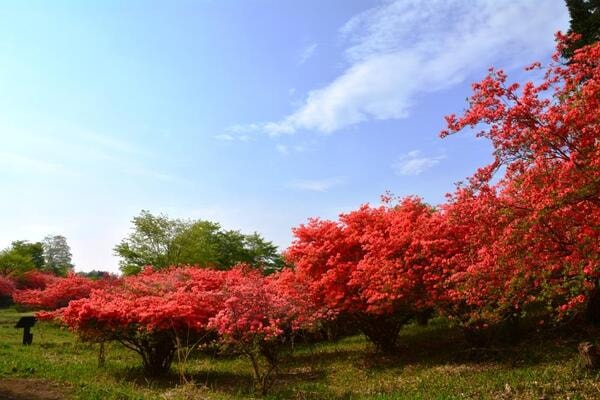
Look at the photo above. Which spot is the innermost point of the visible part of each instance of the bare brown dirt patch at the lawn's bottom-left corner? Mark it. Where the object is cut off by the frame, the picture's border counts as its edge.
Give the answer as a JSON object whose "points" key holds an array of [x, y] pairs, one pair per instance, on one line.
{"points": [[32, 389]]}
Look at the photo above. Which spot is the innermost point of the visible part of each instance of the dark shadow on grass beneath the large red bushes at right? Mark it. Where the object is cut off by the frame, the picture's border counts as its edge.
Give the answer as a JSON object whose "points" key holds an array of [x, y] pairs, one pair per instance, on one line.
{"points": [[441, 344]]}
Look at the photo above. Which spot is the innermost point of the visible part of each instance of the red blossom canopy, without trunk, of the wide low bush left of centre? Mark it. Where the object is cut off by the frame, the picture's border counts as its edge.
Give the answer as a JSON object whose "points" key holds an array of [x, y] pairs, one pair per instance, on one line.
{"points": [[171, 299]]}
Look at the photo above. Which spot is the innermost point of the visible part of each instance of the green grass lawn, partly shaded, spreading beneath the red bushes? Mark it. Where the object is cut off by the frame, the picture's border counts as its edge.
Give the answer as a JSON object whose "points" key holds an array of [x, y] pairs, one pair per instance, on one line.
{"points": [[433, 362]]}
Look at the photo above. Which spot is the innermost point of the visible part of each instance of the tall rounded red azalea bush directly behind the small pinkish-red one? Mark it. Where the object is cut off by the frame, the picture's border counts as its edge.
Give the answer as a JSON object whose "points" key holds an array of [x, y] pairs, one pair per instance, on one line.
{"points": [[381, 266]]}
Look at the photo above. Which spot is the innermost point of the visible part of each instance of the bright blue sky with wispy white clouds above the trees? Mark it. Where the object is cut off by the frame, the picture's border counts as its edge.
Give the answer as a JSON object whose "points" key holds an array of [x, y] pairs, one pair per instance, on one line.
{"points": [[254, 114]]}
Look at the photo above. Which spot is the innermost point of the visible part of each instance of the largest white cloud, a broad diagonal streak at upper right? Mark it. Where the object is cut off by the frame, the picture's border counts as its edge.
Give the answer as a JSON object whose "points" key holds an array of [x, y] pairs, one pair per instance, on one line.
{"points": [[401, 49]]}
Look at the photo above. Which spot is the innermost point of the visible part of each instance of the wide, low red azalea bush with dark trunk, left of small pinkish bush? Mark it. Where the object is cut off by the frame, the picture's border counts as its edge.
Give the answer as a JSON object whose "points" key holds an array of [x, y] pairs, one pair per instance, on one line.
{"points": [[149, 312]]}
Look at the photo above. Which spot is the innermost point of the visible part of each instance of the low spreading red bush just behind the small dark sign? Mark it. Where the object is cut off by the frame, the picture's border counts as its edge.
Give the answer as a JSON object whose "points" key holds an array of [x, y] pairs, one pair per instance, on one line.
{"points": [[58, 292]]}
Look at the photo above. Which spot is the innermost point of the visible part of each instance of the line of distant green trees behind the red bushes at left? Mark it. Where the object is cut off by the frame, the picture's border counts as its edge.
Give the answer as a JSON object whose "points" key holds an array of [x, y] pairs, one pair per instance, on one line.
{"points": [[155, 240]]}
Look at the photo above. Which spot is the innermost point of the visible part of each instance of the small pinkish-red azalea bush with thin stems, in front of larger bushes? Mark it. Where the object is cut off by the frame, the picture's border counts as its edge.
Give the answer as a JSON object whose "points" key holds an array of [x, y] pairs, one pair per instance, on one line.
{"points": [[261, 313]]}
